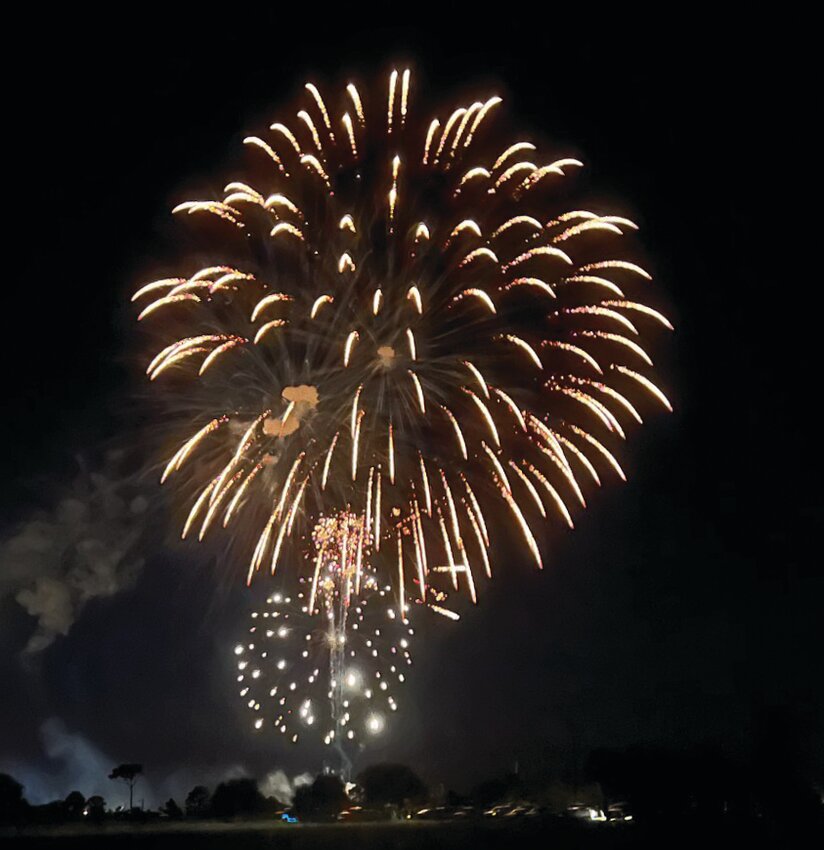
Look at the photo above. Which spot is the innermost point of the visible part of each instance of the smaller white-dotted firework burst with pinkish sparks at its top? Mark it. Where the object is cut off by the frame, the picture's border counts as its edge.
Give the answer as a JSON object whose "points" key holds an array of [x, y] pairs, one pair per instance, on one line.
{"points": [[328, 660]]}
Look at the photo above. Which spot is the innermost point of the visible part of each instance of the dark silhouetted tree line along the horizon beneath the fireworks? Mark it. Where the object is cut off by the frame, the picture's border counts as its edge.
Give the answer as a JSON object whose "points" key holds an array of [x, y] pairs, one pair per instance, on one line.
{"points": [[653, 784]]}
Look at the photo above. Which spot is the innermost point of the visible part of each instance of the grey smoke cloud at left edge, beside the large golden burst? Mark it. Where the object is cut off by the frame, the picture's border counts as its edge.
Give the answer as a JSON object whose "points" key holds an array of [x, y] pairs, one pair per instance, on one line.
{"points": [[85, 547]]}
